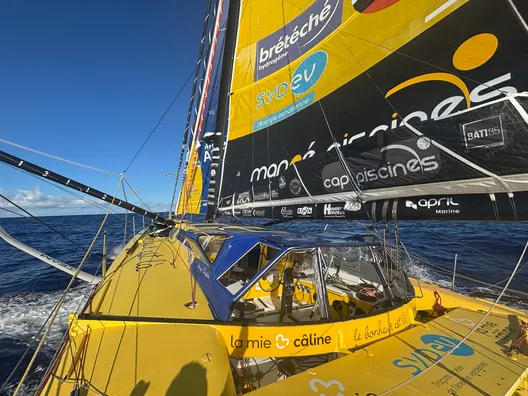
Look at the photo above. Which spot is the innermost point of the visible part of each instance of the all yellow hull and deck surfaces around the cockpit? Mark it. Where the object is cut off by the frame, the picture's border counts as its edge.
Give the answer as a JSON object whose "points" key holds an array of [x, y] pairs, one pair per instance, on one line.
{"points": [[137, 335]]}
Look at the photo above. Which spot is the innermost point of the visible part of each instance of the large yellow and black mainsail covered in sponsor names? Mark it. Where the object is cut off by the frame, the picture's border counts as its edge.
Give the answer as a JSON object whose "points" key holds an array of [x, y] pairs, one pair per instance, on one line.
{"points": [[378, 109]]}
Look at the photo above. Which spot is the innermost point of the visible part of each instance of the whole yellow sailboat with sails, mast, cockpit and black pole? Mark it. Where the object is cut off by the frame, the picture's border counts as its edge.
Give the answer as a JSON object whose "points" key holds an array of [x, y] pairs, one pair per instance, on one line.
{"points": [[371, 111]]}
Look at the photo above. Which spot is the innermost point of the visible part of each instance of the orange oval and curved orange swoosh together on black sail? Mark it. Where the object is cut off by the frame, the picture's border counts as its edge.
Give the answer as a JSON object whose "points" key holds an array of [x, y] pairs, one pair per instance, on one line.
{"points": [[472, 53]]}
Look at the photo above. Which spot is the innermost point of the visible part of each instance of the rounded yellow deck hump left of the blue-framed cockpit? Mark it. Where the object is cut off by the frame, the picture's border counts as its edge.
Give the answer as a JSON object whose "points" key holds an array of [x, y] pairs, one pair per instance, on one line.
{"points": [[151, 279]]}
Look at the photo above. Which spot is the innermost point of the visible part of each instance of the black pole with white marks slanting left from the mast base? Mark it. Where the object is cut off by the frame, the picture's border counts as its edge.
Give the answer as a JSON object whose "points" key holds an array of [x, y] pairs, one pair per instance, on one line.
{"points": [[75, 185]]}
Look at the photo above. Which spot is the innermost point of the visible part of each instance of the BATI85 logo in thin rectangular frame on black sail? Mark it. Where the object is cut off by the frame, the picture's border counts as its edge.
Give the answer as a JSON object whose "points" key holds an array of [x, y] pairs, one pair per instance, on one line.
{"points": [[484, 133]]}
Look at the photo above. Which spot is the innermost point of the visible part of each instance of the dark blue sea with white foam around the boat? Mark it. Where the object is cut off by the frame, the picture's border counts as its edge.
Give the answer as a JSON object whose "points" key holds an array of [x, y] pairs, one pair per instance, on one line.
{"points": [[29, 289]]}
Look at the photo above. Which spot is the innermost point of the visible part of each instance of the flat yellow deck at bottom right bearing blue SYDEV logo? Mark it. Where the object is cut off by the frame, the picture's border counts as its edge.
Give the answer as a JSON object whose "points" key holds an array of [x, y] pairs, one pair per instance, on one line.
{"points": [[405, 365]]}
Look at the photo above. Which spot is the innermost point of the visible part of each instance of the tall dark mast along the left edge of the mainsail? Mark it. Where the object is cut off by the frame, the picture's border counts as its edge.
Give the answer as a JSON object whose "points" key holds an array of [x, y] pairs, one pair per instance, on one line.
{"points": [[223, 106]]}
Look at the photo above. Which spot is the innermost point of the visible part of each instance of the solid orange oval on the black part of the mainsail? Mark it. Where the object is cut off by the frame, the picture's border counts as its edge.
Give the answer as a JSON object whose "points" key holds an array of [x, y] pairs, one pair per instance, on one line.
{"points": [[475, 51]]}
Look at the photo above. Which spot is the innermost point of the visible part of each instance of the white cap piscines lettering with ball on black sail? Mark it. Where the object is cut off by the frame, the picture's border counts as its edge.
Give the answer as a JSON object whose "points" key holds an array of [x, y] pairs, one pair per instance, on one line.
{"points": [[401, 161]]}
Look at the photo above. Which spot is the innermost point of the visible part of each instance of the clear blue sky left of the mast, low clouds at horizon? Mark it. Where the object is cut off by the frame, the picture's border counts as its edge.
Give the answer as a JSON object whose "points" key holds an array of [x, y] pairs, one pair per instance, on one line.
{"points": [[87, 81]]}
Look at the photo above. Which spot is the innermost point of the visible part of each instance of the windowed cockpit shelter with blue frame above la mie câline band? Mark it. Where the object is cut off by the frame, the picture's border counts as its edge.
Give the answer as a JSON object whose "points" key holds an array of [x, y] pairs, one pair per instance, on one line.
{"points": [[270, 280]]}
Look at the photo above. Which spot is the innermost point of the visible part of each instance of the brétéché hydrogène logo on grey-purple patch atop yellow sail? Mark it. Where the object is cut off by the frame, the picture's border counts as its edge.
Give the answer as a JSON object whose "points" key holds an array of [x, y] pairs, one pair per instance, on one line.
{"points": [[297, 37]]}
